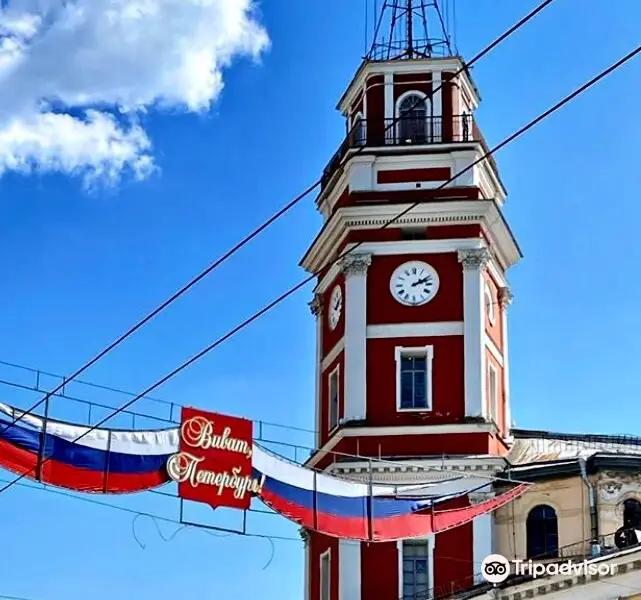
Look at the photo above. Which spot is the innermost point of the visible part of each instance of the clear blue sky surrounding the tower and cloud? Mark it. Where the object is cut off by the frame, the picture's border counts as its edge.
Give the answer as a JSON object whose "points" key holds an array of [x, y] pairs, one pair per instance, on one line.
{"points": [[80, 267]]}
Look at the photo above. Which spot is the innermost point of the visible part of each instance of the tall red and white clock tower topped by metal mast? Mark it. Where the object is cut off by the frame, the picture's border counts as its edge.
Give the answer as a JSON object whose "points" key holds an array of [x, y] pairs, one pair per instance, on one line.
{"points": [[412, 366]]}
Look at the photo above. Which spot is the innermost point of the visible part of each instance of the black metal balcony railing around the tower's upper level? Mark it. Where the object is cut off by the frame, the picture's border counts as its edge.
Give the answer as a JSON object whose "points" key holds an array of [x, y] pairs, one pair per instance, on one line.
{"points": [[404, 131]]}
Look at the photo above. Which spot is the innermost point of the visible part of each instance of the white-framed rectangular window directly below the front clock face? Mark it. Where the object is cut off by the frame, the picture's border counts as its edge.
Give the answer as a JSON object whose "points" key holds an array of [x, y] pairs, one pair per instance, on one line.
{"points": [[414, 378]]}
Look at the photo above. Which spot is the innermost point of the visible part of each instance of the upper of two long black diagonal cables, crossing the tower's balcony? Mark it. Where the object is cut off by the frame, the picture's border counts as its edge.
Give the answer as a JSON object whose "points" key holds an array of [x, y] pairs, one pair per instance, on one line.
{"points": [[265, 225]]}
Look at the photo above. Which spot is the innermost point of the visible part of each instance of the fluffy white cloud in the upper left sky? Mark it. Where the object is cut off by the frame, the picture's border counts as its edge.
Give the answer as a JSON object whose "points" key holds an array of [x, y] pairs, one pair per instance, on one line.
{"points": [[75, 73]]}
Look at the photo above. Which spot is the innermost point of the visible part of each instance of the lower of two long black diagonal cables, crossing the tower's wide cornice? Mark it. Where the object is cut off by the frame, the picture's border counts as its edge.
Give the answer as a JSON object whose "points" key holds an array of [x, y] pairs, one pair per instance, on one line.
{"points": [[292, 290]]}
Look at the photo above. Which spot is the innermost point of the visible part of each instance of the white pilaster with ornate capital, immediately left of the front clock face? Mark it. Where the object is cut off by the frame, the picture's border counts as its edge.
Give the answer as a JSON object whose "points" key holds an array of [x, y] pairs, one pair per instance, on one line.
{"points": [[355, 269]]}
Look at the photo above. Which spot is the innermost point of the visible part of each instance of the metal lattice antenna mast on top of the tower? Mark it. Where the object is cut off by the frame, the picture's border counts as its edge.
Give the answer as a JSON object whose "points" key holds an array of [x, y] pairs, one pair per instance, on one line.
{"points": [[410, 29]]}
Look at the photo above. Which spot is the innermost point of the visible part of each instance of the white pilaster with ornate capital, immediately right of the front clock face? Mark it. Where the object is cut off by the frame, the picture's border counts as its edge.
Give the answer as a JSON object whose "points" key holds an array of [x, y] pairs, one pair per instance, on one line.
{"points": [[473, 262]]}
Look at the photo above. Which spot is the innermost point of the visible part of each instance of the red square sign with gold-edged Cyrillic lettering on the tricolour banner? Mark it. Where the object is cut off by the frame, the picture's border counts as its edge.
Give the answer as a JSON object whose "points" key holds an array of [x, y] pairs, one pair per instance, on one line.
{"points": [[214, 462]]}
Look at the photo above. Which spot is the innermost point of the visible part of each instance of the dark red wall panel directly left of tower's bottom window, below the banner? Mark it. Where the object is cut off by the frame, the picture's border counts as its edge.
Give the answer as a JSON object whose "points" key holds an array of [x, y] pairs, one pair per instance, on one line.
{"points": [[379, 571]]}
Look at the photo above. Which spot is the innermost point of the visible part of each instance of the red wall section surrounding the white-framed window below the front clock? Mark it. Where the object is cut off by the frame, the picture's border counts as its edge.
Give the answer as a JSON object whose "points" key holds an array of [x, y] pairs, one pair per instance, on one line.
{"points": [[448, 381]]}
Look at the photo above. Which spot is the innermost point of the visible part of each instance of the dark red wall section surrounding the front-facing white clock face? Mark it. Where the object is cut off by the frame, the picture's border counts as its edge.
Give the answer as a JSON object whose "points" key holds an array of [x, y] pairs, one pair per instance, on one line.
{"points": [[447, 305]]}
